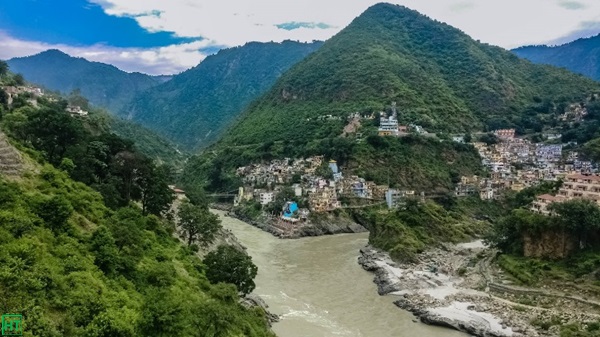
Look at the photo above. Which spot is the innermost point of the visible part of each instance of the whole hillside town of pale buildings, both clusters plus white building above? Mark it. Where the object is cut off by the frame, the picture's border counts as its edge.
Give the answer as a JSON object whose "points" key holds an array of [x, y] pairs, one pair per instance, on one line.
{"points": [[512, 164]]}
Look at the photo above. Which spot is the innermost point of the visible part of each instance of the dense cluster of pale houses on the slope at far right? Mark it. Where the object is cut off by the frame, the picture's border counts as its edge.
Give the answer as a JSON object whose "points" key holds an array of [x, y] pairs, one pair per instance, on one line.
{"points": [[516, 163]]}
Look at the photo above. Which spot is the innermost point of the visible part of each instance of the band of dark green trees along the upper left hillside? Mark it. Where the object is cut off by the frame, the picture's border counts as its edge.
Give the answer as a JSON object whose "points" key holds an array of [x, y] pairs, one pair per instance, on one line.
{"points": [[91, 154]]}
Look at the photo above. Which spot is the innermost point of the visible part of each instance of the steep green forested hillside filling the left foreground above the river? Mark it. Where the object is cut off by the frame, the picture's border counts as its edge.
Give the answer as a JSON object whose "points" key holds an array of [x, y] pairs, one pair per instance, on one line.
{"points": [[86, 247]]}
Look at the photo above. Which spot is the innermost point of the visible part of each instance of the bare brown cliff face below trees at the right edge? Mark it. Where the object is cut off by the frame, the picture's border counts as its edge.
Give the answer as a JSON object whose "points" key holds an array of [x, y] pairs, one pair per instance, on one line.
{"points": [[549, 244]]}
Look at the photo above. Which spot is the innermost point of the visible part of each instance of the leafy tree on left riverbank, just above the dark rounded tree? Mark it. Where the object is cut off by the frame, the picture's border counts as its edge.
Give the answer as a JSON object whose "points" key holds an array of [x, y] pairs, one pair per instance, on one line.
{"points": [[199, 224]]}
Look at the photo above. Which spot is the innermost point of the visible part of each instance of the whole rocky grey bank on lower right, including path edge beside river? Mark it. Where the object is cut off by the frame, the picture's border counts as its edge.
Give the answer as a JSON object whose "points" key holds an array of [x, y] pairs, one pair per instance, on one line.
{"points": [[452, 286]]}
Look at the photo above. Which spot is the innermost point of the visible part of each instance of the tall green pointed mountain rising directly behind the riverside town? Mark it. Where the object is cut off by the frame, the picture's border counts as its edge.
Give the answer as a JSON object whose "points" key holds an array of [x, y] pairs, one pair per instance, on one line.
{"points": [[439, 78]]}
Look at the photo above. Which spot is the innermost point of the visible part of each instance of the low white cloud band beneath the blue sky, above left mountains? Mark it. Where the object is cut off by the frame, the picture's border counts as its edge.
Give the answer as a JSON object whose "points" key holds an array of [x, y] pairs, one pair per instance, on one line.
{"points": [[165, 60]]}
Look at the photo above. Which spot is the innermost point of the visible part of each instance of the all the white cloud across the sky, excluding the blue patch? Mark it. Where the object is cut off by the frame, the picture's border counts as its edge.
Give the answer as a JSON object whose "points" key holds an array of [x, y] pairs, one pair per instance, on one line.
{"points": [[507, 23]]}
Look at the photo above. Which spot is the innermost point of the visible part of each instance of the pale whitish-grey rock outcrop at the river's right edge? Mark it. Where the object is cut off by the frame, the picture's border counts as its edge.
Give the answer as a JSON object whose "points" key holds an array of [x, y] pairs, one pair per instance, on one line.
{"points": [[430, 291]]}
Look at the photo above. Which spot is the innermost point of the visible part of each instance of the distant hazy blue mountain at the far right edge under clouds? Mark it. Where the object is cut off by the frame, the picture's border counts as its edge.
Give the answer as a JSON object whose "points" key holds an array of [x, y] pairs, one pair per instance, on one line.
{"points": [[581, 56]]}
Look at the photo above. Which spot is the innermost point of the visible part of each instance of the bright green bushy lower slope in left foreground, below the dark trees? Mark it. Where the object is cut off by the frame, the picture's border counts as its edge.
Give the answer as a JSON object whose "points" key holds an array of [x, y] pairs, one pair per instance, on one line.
{"points": [[73, 267]]}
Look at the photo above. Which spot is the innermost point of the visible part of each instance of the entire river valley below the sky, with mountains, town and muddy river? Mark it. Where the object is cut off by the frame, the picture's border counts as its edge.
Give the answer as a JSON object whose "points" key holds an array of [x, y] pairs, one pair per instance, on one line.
{"points": [[399, 178]]}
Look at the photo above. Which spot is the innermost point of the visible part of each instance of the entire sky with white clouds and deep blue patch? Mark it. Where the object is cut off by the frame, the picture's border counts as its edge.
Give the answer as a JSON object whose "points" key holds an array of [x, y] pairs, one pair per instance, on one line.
{"points": [[169, 36]]}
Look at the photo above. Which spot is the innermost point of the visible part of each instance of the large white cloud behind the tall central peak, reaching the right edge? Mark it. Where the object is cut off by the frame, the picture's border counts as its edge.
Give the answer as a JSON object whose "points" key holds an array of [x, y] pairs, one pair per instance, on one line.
{"points": [[508, 23]]}
